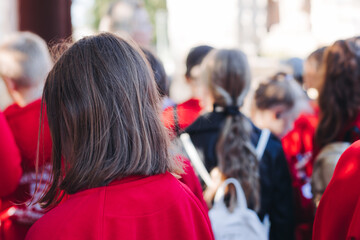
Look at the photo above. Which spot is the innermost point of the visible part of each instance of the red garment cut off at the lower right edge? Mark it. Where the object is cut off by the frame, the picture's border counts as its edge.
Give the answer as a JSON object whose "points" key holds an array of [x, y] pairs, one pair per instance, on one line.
{"points": [[338, 214]]}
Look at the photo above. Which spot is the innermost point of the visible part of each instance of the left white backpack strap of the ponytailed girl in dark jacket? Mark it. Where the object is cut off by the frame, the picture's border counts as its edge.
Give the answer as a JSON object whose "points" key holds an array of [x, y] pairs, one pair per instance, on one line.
{"points": [[195, 159]]}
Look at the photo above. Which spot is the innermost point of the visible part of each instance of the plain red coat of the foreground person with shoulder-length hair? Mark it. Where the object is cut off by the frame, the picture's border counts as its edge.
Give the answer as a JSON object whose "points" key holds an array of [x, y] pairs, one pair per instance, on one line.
{"points": [[156, 207]]}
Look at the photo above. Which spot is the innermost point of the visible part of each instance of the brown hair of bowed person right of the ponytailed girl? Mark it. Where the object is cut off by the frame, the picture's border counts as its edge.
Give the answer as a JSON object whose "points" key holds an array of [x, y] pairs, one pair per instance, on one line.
{"points": [[276, 91]]}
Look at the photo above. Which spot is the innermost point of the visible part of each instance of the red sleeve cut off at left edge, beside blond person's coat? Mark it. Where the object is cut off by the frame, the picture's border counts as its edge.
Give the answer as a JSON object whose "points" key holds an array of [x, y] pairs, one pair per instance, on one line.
{"points": [[10, 160]]}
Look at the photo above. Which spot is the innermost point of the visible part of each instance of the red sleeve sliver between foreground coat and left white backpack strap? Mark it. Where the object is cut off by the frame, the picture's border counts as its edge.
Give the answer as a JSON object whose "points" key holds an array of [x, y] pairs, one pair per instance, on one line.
{"points": [[190, 179]]}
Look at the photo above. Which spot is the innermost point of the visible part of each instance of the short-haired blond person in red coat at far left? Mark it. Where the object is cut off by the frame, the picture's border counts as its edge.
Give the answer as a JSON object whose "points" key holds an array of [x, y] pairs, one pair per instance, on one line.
{"points": [[24, 63]]}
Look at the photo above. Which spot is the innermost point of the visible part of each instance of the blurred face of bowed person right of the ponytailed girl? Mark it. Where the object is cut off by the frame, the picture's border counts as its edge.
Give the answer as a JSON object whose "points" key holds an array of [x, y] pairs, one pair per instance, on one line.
{"points": [[277, 119]]}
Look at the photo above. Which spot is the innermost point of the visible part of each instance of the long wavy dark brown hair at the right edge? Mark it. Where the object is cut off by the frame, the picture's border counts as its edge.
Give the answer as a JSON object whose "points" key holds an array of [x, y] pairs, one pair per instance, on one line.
{"points": [[339, 98]]}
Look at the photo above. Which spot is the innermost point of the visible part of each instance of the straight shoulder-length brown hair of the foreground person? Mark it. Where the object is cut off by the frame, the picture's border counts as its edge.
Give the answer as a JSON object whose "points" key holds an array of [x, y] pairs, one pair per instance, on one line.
{"points": [[103, 113]]}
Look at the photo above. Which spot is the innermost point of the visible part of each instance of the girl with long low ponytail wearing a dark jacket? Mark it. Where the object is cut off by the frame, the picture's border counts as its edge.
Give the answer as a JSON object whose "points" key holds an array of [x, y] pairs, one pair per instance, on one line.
{"points": [[226, 140]]}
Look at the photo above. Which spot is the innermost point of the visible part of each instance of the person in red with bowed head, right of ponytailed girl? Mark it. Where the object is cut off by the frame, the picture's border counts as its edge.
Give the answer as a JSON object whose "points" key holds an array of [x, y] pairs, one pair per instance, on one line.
{"points": [[281, 106]]}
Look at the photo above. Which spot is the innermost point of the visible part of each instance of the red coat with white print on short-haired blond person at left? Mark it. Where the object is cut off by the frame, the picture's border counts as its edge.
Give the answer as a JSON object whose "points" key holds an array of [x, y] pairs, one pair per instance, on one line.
{"points": [[24, 124]]}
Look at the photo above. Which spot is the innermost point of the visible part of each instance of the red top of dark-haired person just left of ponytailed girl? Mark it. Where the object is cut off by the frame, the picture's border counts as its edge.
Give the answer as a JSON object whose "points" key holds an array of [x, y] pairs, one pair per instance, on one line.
{"points": [[187, 113]]}
